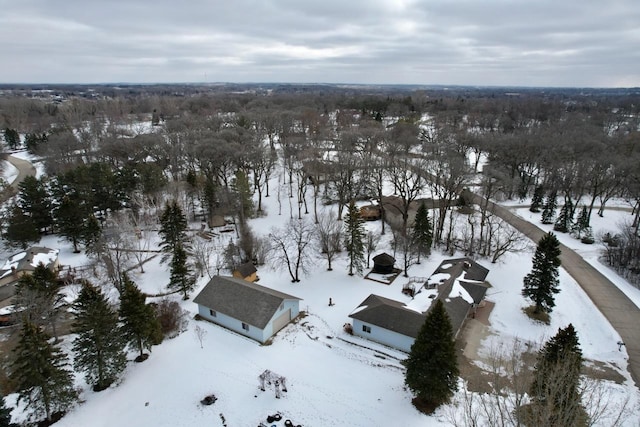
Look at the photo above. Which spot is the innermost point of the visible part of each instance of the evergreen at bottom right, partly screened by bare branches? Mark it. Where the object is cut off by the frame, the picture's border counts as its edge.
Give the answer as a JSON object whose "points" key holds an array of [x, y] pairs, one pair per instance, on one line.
{"points": [[555, 391]]}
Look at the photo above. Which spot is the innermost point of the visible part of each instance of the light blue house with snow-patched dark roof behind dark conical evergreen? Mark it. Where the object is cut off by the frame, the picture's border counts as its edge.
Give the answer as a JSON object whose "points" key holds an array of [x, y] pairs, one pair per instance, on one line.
{"points": [[459, 283]]}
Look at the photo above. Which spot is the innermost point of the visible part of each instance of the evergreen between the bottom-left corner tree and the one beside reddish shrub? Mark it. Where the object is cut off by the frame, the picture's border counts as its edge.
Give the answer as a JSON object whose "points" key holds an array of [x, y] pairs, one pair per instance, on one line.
{"points": [[99, 347]]}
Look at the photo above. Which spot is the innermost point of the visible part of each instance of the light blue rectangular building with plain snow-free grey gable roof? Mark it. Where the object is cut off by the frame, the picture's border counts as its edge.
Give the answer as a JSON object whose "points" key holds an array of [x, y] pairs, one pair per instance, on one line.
{"points": [[247, 308]]}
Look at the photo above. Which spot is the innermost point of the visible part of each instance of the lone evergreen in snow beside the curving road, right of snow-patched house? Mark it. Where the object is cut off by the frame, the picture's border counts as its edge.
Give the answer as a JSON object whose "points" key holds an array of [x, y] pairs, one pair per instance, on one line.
{"points": [[542, 283]]}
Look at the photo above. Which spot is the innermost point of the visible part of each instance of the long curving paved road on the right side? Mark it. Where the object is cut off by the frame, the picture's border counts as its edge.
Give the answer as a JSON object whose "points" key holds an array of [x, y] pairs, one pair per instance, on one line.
{"points": [[623, 314]]}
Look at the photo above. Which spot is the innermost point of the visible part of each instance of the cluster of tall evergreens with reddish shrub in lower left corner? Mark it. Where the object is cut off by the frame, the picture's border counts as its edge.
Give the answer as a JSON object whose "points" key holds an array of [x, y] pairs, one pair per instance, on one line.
{"points": [[40, 370]]}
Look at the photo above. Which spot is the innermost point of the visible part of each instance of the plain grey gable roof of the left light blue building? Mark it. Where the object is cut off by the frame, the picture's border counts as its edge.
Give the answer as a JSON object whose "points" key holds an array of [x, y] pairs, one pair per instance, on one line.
{"points": [[248, 302]]}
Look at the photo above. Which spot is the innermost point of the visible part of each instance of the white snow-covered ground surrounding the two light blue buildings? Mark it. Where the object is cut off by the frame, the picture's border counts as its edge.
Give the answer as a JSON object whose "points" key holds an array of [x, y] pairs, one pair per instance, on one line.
{"points": [[333, 379]]}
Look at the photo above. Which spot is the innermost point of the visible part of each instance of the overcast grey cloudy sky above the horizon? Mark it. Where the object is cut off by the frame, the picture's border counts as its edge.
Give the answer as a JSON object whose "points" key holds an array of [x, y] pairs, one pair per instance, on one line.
{"points": [[593, 43]]}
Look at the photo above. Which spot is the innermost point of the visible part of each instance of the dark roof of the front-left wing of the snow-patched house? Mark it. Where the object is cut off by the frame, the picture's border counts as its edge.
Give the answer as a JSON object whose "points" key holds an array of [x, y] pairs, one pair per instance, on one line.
{"points": [[389, 314]]}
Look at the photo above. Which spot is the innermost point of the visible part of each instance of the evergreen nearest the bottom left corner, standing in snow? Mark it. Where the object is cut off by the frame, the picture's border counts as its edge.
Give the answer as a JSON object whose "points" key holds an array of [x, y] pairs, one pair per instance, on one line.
{"points": [[40, 374]]}
